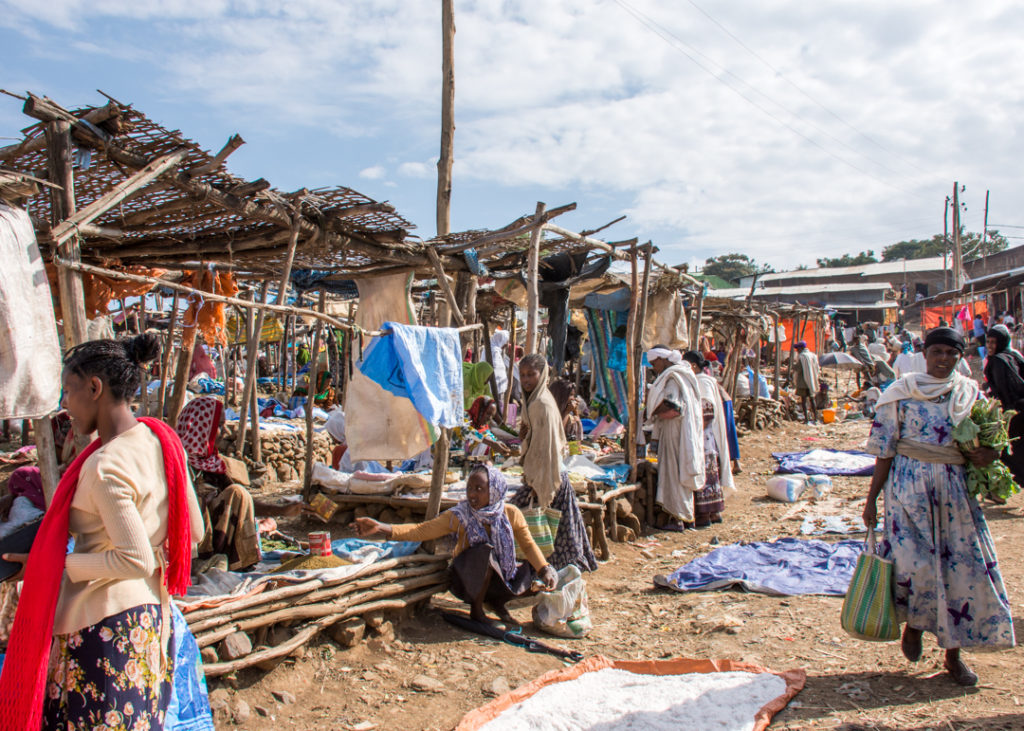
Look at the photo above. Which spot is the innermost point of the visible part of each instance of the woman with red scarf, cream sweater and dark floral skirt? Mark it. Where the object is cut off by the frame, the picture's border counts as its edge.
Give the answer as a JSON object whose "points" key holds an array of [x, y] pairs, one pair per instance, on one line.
{"points": [[133, 512]]}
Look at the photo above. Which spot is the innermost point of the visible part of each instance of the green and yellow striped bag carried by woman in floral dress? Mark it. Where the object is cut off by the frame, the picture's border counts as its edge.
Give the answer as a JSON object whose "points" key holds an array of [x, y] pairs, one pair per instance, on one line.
{"points": [[869, 611]]}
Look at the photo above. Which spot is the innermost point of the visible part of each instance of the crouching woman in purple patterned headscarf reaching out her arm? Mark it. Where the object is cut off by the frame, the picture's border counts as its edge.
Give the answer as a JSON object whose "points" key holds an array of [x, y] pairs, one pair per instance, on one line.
{"points": [[487, 532]]}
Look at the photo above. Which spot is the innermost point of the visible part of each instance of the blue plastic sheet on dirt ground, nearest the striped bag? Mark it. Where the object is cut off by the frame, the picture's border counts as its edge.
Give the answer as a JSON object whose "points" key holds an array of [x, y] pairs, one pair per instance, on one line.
{"points": [[785, 568]]}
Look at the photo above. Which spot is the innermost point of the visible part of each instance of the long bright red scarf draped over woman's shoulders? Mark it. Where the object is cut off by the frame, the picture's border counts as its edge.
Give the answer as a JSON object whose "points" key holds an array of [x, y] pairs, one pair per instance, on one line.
{"points": [[23, 685]]}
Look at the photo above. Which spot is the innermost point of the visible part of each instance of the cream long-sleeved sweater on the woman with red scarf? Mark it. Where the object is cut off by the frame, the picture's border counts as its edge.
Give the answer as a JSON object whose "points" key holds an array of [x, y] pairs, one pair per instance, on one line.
{"points": [[119, 522]]}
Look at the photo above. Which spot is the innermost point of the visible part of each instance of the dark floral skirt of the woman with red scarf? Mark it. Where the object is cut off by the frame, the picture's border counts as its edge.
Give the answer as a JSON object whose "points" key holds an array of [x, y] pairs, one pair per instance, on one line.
{"points": [[108, 675]]}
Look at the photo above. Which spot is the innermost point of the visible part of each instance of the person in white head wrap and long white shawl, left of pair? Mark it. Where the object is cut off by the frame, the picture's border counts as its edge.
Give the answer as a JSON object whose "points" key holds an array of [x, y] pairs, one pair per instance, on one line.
{"points": [[675, 413]]}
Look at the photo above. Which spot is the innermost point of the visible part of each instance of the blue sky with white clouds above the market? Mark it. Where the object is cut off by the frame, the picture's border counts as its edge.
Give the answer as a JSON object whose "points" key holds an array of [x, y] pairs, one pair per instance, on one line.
{"points": [[784, 130]]}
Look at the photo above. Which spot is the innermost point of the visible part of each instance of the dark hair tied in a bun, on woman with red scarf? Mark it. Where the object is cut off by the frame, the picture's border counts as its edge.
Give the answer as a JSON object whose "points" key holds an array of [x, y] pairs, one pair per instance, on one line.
{"points": [[117, 363]]}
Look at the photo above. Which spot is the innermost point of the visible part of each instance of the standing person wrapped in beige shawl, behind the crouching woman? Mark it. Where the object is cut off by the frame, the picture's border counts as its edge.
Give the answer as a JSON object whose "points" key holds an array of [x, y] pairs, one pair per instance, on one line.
{"points": [[547, 484]]}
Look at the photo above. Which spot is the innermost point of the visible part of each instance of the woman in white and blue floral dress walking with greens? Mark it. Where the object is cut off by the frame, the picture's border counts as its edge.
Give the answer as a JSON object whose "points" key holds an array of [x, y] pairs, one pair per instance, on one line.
{"points": [[948, 580]]}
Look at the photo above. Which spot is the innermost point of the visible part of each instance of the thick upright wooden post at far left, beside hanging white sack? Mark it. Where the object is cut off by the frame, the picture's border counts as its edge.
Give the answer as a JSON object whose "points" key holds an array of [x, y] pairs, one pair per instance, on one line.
{"points": [[60, 157]]}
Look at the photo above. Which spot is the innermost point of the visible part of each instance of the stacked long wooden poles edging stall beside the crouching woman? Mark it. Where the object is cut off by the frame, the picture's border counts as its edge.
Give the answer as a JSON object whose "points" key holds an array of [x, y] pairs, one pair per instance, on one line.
{"points": [[306, 609]]}
